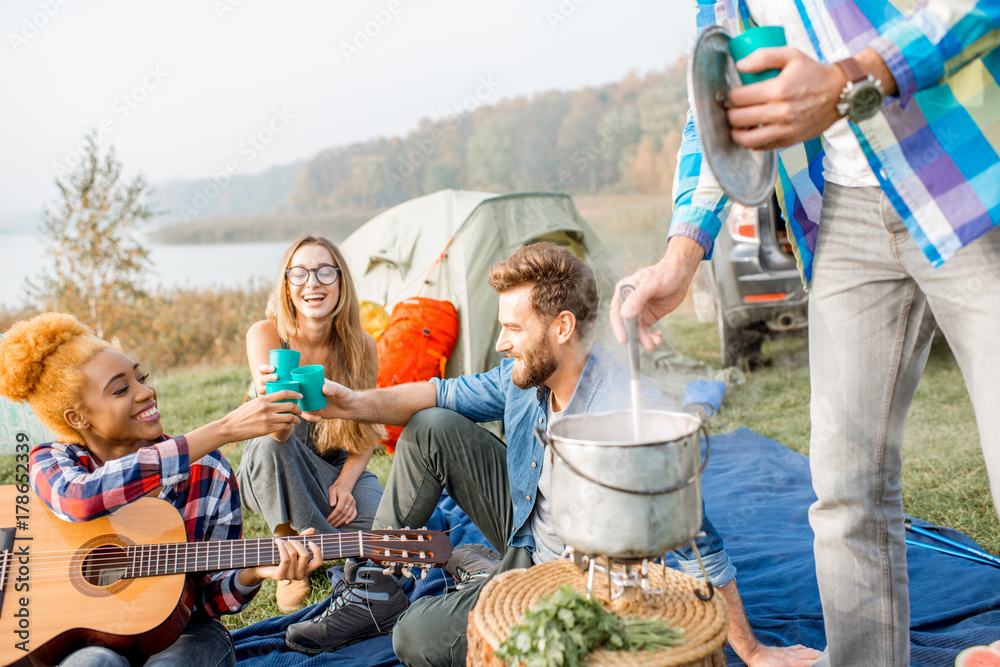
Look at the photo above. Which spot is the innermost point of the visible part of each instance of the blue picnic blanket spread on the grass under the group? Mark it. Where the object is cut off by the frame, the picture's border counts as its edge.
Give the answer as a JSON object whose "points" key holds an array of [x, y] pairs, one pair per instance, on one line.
{"points": [[757, 492]]}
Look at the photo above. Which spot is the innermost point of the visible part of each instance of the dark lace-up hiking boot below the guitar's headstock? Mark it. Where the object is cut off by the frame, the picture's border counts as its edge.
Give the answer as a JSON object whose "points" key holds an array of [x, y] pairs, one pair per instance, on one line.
{"points": [[360, 609]]}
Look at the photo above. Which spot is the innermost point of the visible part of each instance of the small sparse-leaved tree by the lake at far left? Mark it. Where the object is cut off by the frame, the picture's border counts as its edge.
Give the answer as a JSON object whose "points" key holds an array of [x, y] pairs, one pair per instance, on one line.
{"points": [[89, 232]]}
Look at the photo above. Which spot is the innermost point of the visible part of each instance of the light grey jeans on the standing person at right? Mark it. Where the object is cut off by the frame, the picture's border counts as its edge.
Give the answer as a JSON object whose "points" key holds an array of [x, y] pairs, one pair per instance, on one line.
{"points": [[874, 301]]}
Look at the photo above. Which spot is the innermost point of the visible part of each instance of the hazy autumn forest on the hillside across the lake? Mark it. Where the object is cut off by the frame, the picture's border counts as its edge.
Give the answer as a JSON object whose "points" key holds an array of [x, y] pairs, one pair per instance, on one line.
{"points": [[618, 138]]}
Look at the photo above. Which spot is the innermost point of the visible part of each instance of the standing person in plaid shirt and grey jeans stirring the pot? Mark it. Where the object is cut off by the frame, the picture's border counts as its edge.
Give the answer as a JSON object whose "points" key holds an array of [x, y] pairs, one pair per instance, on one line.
{"points": [[887, 117]]}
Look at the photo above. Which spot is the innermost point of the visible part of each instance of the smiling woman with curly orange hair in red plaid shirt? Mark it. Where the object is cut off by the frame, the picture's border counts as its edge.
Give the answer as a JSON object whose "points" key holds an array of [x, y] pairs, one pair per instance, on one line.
{"points": [[112, 451]]}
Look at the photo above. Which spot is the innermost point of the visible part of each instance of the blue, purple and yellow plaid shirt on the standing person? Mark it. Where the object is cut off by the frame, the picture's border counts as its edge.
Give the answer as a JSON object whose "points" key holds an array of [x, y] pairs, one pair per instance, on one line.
{"points": [[934, 146]]}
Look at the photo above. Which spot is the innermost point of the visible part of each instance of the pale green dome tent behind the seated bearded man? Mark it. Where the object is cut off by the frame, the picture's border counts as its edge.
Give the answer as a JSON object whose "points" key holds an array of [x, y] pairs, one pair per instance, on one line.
{"points": [[442, 245]]}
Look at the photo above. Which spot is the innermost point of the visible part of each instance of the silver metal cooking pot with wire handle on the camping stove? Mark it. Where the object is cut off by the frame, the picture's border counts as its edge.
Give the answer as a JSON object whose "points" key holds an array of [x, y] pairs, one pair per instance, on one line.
{"points": [[624, 499]]}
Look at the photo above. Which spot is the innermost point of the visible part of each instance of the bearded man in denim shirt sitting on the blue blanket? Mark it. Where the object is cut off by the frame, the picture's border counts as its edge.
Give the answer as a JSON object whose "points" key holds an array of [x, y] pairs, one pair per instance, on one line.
{"points": [[548, 306]]}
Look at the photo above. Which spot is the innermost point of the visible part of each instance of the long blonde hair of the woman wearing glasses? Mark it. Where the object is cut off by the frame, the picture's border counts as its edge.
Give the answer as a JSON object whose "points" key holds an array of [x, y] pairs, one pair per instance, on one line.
{"points": [[348, 361]]}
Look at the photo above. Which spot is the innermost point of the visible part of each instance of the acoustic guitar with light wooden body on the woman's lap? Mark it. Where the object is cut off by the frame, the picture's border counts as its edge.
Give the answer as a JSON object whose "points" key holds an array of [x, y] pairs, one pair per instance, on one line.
{"points": [[120, 581]]}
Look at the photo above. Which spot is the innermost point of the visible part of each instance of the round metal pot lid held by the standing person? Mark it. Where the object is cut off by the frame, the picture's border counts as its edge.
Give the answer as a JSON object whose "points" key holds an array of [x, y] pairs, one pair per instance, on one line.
{"points": [[746, 175]]}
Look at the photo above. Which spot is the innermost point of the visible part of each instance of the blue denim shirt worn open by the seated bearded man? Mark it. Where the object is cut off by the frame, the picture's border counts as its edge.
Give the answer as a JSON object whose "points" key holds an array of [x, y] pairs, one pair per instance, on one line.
{"points": [[603, 386]]}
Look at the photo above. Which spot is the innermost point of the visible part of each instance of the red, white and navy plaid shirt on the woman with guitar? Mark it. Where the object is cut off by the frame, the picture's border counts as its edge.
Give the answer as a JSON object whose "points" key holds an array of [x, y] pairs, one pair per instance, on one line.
{"points": [[77, 487]]}
